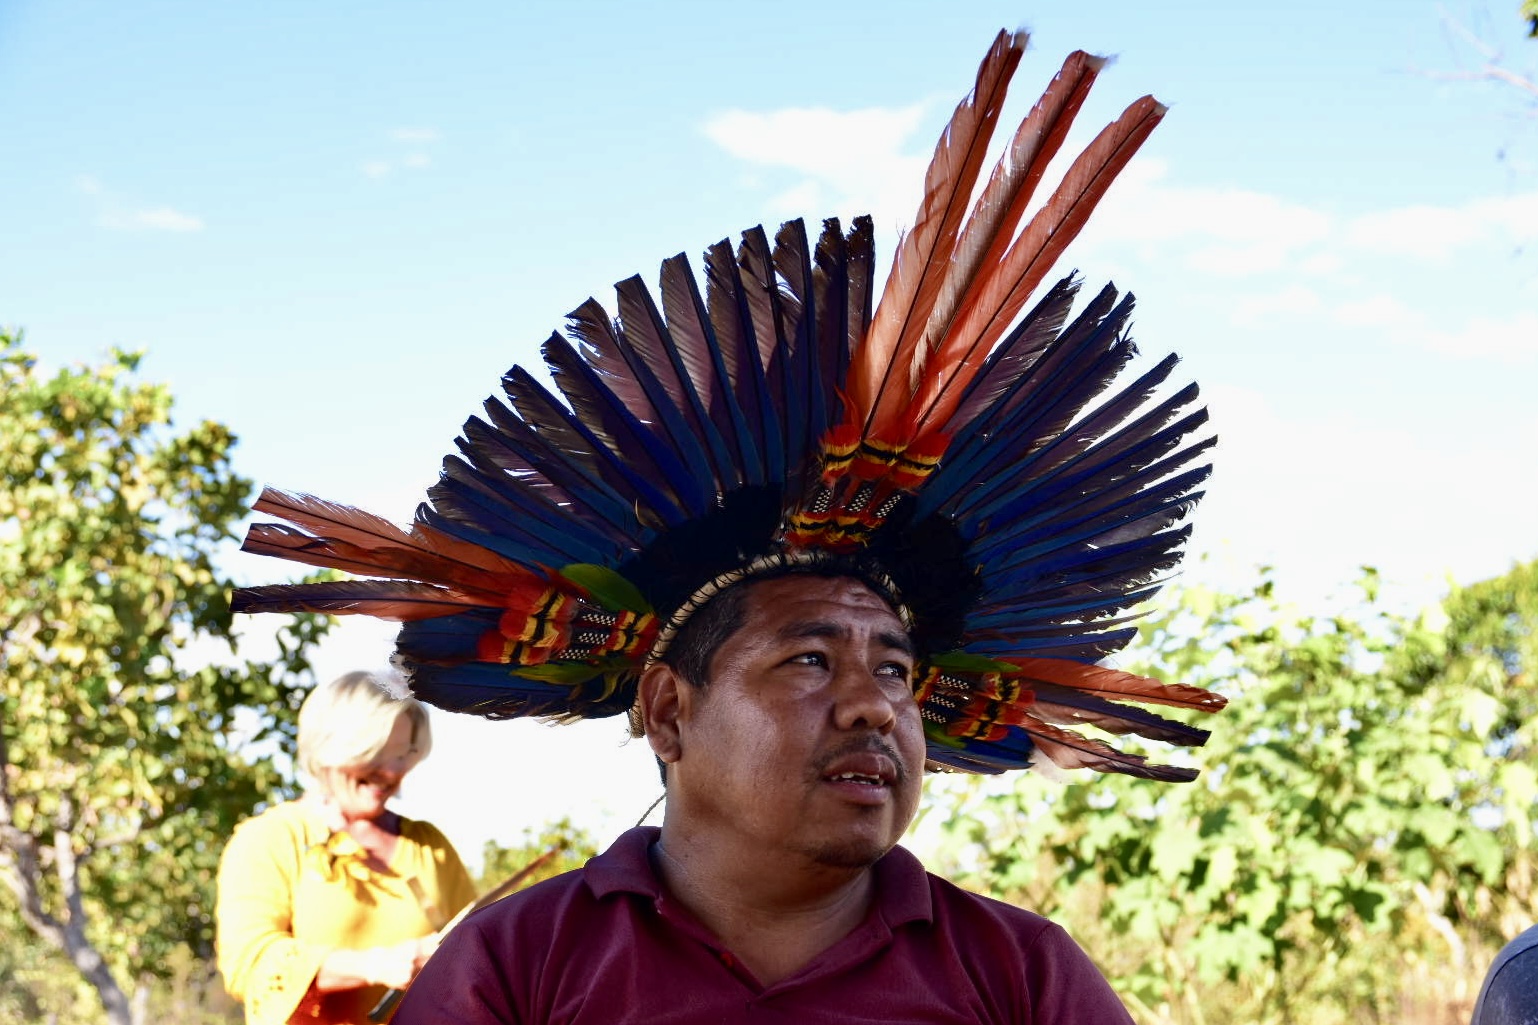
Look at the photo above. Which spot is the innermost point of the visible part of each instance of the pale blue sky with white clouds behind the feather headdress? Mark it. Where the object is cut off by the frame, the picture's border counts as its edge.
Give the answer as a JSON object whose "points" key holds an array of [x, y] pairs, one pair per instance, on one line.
{"points": [[336, 225]]}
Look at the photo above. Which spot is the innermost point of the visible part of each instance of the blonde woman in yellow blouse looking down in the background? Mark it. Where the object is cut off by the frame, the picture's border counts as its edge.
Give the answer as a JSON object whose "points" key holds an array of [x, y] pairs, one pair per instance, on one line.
{"points": [[328, 901]]}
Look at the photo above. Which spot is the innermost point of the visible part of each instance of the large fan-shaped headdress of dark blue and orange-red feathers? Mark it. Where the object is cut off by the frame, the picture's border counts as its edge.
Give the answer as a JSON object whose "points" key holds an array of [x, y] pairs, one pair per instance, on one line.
{"points": [[988, 464]]}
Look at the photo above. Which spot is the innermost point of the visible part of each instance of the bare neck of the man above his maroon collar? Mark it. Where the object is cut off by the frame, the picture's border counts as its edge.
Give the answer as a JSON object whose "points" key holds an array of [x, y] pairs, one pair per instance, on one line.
{"points": [[773, 920]]}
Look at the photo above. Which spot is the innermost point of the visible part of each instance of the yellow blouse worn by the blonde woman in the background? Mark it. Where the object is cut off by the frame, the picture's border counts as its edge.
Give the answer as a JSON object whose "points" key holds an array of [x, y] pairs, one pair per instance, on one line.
{"points": [[291, 892]]}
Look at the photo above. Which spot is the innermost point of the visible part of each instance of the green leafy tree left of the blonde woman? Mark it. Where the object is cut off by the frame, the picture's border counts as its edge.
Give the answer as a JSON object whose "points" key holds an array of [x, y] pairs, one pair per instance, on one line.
{"points": [[124, 744]]}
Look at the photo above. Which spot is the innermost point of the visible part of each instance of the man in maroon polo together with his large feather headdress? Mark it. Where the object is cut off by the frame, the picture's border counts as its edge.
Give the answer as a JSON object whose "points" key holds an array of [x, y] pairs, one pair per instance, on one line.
{"points": [[811, 552]]}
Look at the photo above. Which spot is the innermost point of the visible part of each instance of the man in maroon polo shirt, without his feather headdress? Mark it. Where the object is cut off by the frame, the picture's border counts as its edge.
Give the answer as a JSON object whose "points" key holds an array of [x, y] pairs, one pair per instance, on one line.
{"points": [[774, 889]]}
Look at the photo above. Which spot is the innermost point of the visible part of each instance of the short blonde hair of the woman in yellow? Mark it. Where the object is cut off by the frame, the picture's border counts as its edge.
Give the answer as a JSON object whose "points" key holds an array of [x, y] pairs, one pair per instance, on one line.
{"points": [[348, 723]]}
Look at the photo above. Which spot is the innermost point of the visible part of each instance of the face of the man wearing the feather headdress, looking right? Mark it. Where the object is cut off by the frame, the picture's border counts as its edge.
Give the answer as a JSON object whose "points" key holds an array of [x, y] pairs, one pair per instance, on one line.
{"points": [[807, 740]]}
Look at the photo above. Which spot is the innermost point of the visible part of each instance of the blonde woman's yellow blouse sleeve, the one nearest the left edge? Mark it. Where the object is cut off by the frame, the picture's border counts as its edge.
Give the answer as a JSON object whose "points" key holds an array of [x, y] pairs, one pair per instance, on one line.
{"points": [[264, 966]]}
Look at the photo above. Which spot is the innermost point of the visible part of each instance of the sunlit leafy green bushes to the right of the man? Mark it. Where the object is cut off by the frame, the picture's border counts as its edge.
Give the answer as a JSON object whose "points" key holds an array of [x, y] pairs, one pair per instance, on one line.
{"points": [[1365, 815]]}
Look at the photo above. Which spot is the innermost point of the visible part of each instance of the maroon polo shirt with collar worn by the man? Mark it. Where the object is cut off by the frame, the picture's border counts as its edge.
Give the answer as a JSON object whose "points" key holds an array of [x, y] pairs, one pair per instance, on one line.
{"points": [[607, 946]]}
